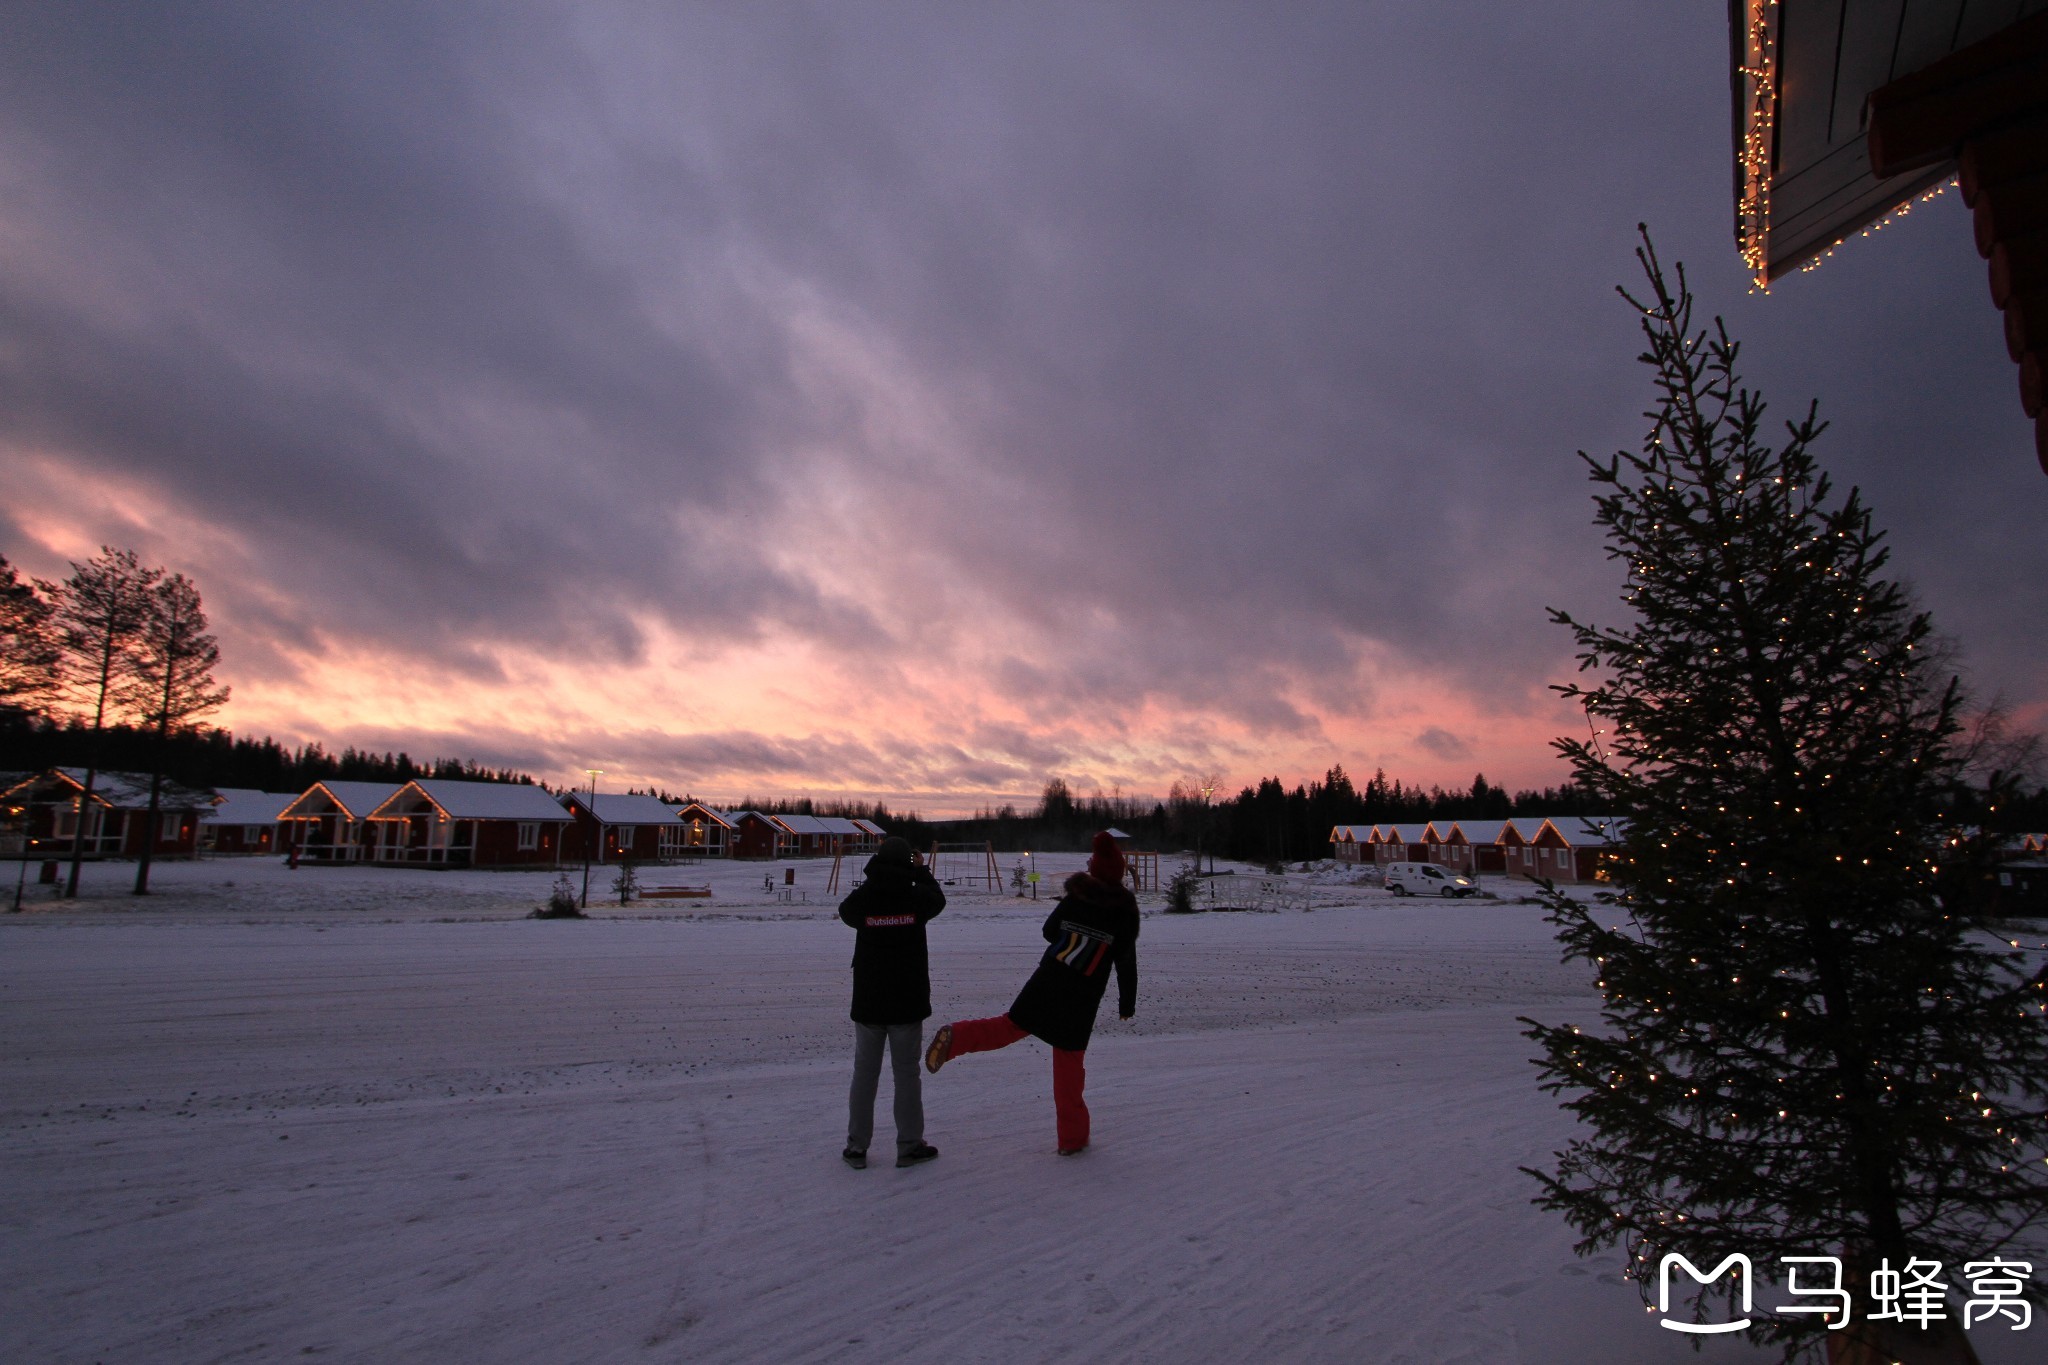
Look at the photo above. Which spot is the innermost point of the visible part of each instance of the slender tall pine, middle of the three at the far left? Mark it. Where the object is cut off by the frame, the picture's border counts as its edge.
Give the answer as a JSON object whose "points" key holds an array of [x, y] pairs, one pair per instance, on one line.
{"points": [[97, 621]]}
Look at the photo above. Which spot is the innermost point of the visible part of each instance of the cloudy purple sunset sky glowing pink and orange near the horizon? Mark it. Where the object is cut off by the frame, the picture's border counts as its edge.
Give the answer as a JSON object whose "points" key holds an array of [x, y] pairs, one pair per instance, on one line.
{"points": [[916, 402]]}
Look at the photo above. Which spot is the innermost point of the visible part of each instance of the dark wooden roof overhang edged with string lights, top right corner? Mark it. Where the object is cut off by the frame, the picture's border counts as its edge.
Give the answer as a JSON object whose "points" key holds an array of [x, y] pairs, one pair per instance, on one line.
{"points": [[1848, 112]]}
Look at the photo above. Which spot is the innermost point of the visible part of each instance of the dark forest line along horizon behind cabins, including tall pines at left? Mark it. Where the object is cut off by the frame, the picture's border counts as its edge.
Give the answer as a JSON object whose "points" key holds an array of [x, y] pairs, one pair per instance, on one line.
{"points": [[91, 699]]}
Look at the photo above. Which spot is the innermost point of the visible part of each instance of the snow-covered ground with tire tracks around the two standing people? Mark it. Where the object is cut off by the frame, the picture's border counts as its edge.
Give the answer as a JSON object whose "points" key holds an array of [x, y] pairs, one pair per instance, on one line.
{"points": [[382, 1116]]}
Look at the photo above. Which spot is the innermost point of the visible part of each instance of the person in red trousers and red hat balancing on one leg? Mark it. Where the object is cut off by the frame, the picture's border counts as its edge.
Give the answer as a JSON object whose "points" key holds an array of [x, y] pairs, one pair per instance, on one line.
{"points": [[1095, 926]]}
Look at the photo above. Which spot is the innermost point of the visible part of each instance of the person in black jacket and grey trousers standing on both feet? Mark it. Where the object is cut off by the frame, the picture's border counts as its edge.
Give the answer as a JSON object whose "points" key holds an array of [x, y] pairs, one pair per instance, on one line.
{"points": [[892, 996]]}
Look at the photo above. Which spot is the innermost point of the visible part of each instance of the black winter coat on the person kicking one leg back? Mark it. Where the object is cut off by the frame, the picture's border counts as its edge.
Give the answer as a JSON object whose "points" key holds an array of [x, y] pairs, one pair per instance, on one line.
{"points": [[1093, 926]]}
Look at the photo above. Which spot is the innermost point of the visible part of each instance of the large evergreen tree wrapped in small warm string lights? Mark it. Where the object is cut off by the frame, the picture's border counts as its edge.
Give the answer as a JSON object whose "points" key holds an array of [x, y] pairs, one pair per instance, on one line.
{"points": [[1811, 1041]]}
